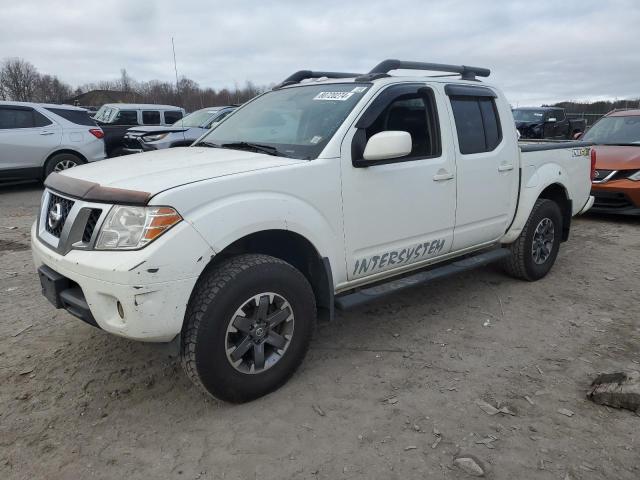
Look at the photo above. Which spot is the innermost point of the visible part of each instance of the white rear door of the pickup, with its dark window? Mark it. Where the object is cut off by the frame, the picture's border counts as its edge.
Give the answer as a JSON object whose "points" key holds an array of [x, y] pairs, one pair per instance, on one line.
{"points": [[487, 179]]}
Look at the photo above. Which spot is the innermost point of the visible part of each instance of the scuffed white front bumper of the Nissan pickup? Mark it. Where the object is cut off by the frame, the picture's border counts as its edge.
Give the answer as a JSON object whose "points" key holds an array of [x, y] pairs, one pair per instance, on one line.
{"points": [[152, 286]]}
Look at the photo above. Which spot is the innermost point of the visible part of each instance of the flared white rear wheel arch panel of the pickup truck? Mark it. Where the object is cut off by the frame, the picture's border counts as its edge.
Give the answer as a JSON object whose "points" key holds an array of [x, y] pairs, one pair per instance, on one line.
{"points": [[534, 181]]}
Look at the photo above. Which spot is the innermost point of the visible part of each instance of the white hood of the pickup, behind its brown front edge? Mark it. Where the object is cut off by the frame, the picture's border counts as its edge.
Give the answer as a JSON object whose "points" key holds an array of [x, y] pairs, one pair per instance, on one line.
{"points": [[154, 172]]}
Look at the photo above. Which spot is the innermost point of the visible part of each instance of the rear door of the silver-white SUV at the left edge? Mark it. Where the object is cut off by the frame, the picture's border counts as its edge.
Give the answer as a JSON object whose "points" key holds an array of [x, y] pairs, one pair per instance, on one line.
{"points": [[26, 137]]}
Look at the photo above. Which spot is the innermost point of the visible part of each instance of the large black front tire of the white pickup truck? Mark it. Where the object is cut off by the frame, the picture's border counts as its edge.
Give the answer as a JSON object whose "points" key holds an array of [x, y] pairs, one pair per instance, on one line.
{"points": [[217, 298]]}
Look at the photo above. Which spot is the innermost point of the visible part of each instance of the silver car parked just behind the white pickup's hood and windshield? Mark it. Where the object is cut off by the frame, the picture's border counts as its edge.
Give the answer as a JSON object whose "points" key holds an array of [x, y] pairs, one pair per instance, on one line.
{"points": [[182, 133]]}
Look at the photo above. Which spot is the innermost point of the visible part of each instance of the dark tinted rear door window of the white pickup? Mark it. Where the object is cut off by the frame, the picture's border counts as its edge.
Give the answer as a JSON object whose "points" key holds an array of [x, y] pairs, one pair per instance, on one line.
{"points": [[477, 124]]}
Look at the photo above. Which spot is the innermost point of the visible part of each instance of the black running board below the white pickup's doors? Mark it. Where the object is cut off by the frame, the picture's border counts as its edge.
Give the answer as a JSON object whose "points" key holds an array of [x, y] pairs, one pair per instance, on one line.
{"points": [[369, 294]]}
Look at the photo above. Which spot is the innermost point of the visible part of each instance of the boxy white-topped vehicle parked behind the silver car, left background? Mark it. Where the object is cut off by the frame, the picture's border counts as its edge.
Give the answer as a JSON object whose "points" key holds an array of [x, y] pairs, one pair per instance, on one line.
{"points": [[116, 118]]}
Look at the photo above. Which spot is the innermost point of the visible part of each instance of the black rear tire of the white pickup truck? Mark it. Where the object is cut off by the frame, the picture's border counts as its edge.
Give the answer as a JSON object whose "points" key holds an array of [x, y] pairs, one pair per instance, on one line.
{"points": [[523, 263]]}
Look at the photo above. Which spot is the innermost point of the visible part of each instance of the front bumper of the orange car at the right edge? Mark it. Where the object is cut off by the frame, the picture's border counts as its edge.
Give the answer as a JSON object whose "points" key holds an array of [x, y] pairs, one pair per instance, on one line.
{"points": [[617, 196]]}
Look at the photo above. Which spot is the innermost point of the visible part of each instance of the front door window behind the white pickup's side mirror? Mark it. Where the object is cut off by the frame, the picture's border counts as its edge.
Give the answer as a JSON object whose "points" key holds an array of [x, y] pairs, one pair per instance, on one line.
{"points": [[415, 114]]}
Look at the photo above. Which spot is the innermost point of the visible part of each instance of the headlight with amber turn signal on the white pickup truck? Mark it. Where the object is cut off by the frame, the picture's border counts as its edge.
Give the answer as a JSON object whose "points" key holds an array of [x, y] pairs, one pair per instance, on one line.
{"points": [[130, 228]]}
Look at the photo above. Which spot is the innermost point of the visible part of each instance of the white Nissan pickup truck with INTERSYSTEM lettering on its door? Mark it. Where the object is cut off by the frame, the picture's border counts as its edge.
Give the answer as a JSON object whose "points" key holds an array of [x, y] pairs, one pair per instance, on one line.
{"points": [[331, 190]]}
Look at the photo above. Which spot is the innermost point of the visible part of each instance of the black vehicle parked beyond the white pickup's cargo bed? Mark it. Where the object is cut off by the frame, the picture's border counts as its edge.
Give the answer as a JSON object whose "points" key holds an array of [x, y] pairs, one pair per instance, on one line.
{"points": [[546, 122]]}
